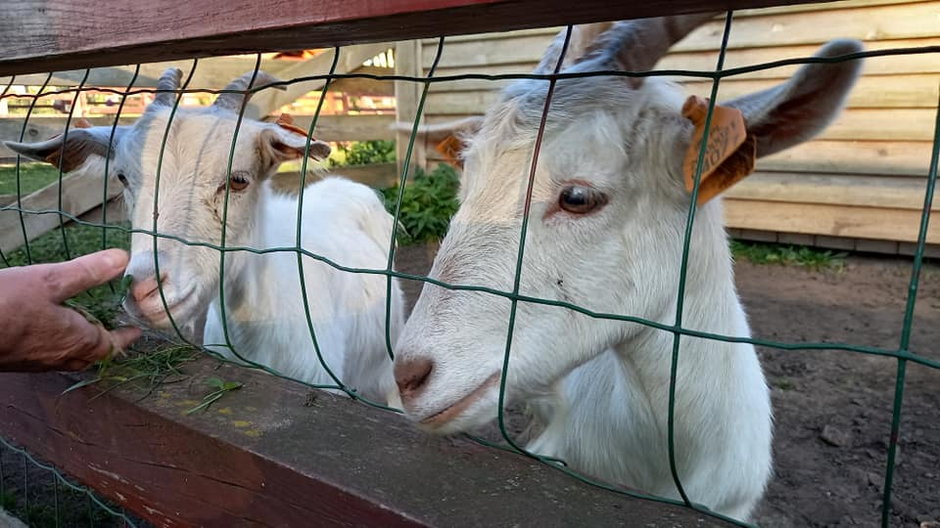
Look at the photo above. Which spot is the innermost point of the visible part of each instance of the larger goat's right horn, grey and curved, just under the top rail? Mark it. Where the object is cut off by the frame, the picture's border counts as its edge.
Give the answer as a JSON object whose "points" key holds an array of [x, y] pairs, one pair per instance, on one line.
{"points": [[637, 45]]}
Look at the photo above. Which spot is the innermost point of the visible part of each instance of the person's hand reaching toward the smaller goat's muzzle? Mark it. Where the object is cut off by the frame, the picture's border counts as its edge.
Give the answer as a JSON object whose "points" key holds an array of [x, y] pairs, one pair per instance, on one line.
{"points": [[38, 333]]}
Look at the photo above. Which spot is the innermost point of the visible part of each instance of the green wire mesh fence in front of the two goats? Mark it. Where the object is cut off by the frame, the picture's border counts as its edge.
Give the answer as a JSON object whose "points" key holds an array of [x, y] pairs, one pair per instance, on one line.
{"points": [[902, 354]]}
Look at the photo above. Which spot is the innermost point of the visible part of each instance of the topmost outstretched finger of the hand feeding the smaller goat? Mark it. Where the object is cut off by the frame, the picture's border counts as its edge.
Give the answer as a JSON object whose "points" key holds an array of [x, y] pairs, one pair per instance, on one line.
{"points": [[67, 279]]}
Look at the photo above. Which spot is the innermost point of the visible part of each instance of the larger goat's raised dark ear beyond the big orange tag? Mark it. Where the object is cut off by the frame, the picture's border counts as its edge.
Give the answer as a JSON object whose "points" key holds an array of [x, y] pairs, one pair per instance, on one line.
{"points": [[793, 112]]}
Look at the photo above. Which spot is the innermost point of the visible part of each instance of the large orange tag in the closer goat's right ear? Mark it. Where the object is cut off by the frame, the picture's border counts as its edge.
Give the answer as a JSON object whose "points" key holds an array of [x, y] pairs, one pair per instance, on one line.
{"points": [[729, 154]]}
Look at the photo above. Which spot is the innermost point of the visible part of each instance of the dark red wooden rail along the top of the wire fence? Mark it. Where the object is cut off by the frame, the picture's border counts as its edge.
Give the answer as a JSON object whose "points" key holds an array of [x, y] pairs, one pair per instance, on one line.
{"points": [[48, 35]]}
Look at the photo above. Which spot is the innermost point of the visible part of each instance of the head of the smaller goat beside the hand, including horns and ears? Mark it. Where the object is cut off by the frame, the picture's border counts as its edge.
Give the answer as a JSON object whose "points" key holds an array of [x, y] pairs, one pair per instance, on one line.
{"points": [[176, 179]]}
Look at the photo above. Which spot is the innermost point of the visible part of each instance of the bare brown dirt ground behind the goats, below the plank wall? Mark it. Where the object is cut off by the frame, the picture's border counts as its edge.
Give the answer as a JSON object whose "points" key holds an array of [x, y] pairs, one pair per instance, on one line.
{"points": [[833, 408]]}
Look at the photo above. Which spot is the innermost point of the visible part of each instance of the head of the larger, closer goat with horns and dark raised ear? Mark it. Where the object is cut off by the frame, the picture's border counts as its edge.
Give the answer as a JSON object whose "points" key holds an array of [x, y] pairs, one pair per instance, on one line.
{"points": [[604, 229]]}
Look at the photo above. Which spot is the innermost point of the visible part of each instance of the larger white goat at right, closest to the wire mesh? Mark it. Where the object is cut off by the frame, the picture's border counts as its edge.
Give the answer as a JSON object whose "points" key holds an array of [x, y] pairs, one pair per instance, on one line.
{"points": [[605, 231]]}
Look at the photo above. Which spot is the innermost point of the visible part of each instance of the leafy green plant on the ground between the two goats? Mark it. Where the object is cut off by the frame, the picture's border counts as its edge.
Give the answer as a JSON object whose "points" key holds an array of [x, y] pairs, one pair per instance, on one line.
{"points": [[428, 203]]}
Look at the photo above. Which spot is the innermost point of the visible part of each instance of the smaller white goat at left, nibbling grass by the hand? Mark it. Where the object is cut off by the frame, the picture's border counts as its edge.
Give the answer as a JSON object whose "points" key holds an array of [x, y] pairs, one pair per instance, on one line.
{"points": [[264, 308]]}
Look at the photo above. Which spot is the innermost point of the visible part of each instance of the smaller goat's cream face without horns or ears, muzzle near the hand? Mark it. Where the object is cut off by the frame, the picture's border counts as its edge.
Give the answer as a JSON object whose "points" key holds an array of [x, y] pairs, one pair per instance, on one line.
{"points": [[183, 198]]}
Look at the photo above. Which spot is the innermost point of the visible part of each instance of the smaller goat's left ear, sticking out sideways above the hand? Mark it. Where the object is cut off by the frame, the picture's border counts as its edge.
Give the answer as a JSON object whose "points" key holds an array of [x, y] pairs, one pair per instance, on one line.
{"points": [[79, 145]]}
